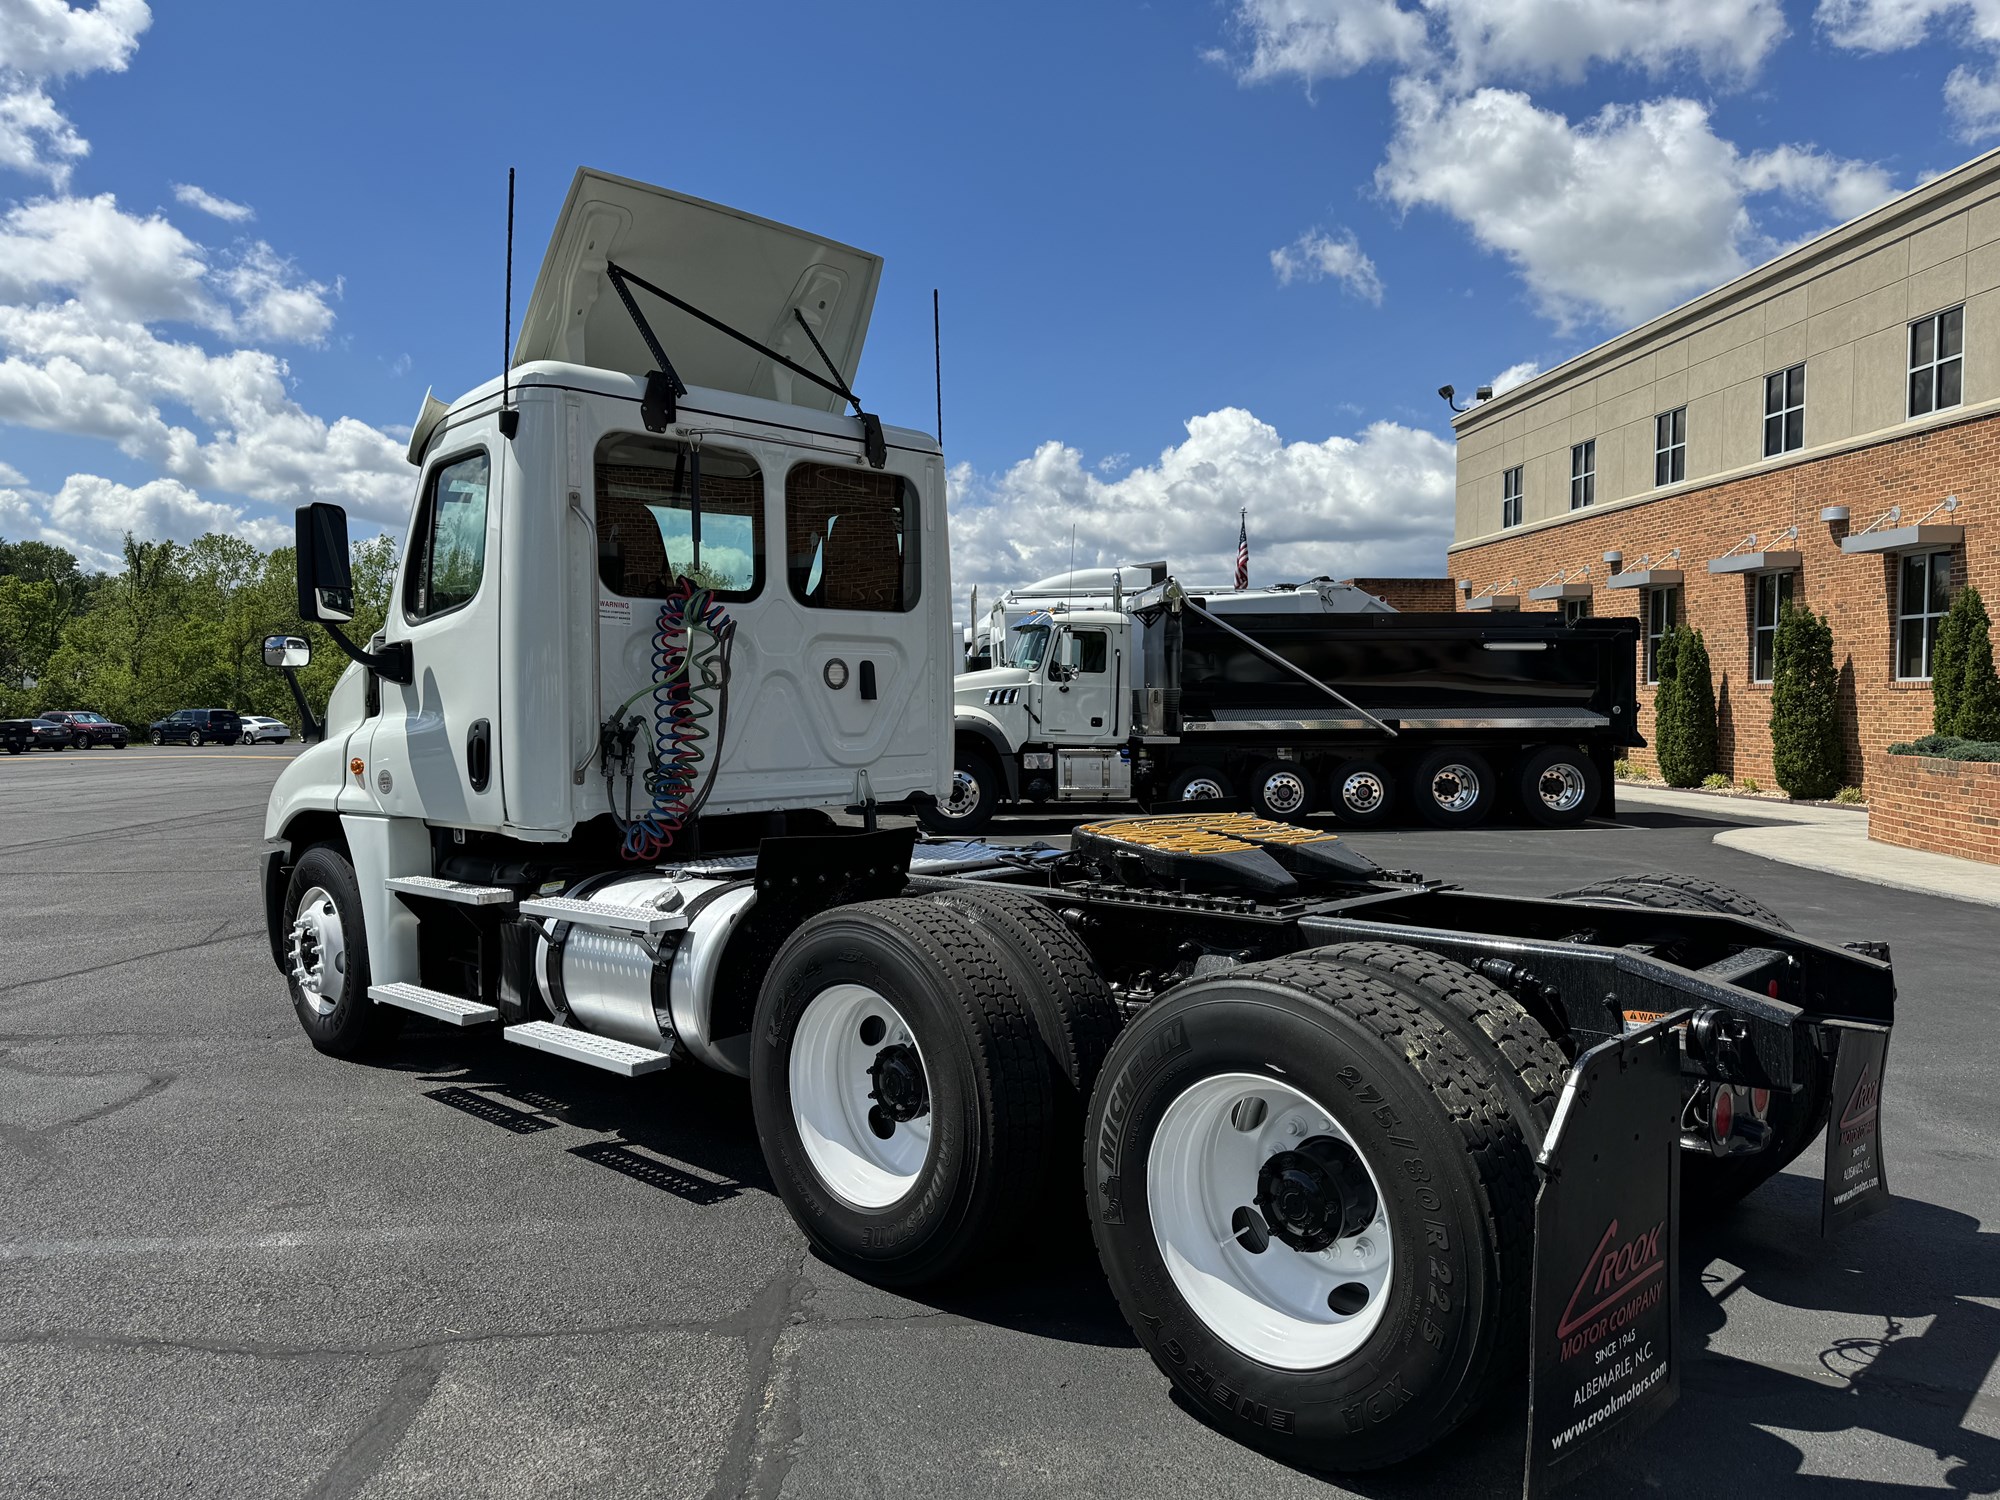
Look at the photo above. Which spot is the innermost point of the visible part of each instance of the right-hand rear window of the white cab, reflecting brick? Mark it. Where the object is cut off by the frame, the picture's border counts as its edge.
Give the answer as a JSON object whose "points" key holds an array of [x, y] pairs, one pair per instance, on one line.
{"points": [[851, 539]]}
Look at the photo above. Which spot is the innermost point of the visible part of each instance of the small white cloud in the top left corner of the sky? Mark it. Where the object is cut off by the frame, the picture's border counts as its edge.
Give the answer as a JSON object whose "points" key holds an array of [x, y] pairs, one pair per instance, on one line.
{"points": [[43, 43]]}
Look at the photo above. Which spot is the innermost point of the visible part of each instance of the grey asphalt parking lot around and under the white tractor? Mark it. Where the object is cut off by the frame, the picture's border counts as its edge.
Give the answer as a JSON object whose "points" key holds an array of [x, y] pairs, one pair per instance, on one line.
{"points": [[231, 1267]]}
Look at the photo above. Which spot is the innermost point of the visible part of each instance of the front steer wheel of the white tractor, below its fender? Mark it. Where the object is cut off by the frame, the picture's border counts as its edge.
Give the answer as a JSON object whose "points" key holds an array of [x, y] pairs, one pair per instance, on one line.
{"points": [[327, 957]]}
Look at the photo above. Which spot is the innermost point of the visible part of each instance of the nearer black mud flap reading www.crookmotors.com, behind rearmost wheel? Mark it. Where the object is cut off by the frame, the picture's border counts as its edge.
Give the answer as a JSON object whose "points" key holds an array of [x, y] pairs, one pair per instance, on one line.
{"points": [[1607, 1259]]}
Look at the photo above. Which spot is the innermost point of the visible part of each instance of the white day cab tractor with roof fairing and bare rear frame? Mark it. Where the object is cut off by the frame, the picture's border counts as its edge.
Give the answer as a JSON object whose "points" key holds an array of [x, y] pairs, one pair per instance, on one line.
{"points": [[665, 609]]}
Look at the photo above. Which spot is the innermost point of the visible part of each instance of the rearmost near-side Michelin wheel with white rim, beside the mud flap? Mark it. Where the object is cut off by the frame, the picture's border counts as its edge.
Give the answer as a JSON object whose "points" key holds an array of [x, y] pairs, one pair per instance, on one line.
{"points": [[1313, 1209]]}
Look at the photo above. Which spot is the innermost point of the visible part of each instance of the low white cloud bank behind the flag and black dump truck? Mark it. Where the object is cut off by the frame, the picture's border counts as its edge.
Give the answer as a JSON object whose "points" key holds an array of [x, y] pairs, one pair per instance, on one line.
{"points": [[1371, 505]]}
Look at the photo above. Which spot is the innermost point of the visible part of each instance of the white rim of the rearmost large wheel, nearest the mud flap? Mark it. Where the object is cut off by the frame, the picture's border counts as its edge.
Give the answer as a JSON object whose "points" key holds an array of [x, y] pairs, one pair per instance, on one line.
{"points": [[1203, 1169]]}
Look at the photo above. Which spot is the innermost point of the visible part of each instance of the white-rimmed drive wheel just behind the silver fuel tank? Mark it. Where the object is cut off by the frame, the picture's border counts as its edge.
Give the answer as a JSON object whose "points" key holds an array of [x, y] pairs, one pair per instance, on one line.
{"points": [[901, 1091]]}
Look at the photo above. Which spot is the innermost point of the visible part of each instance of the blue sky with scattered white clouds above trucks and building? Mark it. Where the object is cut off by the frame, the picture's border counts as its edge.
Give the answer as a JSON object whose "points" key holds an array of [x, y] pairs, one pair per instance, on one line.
{"points": [[1193, 257]]}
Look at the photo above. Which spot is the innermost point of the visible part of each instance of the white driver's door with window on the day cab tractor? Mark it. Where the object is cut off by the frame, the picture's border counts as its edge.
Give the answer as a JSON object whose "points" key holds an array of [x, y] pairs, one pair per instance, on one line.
{"points": [[437, 741]]}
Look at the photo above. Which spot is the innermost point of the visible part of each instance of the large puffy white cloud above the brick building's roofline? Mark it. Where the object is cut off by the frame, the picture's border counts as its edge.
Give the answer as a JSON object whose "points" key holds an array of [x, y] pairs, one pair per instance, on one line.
{"points": [[1617, 217]]}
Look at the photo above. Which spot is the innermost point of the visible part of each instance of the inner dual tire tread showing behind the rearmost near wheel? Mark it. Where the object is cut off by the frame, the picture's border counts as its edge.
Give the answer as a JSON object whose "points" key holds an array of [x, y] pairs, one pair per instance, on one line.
{"points": [[1497, 1029]]}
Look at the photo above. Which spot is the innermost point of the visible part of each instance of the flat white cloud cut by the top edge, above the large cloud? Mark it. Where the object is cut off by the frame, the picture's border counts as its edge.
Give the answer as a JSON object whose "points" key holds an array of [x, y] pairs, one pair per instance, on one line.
{"points": [[1483, 41]]}
